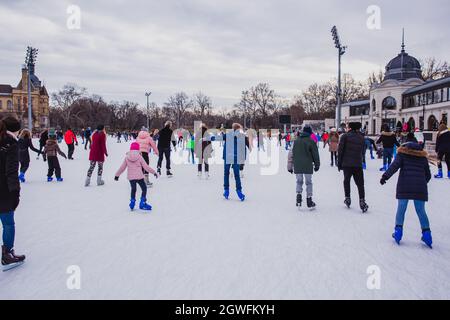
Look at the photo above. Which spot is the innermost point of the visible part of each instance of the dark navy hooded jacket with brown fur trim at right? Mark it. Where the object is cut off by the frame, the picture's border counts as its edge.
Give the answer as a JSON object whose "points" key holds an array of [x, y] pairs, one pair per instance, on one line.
{"points": [[415, 172]]}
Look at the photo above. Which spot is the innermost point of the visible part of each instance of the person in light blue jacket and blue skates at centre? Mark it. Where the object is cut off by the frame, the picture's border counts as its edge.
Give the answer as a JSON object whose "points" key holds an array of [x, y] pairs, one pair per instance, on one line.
{"points": [[234, 155]]}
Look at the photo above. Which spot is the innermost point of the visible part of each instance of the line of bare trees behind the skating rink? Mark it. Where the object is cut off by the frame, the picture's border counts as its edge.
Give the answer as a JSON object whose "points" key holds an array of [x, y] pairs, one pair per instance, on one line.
{"points": [[259, 106]]}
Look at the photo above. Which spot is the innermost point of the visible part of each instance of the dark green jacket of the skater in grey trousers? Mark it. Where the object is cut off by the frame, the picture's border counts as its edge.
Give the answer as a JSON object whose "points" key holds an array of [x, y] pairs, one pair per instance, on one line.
{"points": [[304, 156]]}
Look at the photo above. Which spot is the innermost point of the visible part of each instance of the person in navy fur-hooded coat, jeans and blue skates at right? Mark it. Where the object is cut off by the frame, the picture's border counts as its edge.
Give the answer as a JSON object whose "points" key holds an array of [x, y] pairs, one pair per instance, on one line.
{"points": [[412, 183]]}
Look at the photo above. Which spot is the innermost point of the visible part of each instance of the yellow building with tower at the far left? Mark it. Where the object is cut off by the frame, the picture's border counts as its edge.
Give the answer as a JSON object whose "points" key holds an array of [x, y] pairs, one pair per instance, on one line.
{"points": [[14, 100]]}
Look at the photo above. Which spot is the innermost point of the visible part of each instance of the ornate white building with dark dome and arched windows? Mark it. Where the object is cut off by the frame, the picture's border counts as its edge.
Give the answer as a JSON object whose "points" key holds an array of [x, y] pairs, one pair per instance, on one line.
{"points": [[403, 96]]}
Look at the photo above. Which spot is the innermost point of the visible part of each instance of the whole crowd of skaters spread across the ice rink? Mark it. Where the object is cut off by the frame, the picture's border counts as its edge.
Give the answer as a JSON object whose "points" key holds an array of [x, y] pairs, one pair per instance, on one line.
{"points": [[401, 151]]}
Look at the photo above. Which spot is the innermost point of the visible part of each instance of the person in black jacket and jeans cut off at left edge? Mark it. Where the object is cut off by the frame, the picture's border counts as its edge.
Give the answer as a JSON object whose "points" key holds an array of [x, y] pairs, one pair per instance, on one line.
{"points": [[9, 189]]}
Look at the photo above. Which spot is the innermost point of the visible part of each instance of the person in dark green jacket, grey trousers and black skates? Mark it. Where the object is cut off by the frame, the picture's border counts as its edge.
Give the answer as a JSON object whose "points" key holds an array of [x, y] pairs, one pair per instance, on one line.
{"points": [[303, 160]]}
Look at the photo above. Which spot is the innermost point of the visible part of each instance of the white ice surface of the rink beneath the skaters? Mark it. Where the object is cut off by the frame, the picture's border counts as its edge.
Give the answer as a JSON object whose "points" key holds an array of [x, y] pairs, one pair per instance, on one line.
{"points": [[196, 245]]}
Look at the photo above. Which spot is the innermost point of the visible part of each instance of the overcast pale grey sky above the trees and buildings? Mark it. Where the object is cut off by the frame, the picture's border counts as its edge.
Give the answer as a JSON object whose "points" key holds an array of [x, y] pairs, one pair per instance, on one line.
{"points": [[127, 47]]}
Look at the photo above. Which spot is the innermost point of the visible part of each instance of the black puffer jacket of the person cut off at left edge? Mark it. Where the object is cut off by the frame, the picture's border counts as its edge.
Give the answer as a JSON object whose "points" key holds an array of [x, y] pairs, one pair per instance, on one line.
{"points": [[9, 168]]}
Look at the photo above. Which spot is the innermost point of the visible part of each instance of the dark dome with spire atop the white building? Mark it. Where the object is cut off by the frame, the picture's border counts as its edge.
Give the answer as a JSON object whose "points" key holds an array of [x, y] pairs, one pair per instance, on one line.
{"points": [[403, 66]]}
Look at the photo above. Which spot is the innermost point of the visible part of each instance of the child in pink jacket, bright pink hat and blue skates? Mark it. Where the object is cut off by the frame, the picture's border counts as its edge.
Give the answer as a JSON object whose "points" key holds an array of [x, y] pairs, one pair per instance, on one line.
{"points": [[135, 164]]}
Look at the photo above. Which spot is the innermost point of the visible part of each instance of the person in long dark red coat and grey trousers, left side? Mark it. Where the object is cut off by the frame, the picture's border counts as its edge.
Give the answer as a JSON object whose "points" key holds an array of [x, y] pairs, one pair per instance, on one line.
{"points": [[97, 155]]}
